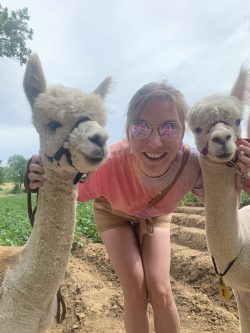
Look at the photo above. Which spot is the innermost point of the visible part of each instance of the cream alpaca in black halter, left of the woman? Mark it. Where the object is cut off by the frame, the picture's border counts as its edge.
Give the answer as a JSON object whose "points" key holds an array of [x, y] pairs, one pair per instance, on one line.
{"points": [[72, 139]]}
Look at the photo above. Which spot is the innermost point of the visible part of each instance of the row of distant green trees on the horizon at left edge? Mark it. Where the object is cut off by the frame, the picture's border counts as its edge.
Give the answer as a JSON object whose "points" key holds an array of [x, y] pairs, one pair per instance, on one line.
{"points": [[14, 172]]}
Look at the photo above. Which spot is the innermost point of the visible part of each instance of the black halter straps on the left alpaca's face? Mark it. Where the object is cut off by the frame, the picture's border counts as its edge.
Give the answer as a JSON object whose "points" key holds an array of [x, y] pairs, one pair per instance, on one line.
{"points": [[82, 177]]}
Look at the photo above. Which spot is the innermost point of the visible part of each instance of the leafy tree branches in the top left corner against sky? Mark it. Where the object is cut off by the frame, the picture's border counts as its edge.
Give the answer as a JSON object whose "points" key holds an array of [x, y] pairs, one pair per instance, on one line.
{"points": [[14, 32]]}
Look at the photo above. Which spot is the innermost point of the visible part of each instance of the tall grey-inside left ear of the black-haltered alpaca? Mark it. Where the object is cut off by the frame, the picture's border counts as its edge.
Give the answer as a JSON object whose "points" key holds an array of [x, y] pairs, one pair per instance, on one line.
{"points": [[34, 82]]}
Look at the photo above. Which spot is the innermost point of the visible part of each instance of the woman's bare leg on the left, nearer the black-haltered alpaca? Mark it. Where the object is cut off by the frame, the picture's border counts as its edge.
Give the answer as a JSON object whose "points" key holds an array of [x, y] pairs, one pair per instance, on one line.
{"points": [[122, 248]]}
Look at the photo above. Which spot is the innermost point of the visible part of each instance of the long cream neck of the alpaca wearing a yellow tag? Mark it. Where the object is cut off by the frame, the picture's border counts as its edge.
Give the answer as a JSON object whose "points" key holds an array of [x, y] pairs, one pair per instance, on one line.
{"points": [[221, 203]]}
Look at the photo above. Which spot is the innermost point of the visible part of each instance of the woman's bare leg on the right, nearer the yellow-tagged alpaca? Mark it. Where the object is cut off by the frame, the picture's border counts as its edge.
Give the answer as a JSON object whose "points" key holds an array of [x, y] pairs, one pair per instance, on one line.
{"points": [[156, 260]]}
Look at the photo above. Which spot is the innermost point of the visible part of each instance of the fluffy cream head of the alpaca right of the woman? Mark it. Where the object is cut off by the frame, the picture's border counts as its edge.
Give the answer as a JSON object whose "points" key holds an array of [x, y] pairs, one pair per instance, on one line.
{"points": [[215, 121]]}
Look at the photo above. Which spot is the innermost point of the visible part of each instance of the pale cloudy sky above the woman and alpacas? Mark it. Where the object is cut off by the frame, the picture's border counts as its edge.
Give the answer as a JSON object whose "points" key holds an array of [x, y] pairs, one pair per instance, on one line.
{"points": [[197, 46]]}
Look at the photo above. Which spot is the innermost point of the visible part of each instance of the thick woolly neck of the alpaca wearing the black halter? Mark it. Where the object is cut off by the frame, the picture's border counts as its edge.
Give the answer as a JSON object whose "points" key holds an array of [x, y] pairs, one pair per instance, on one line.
{"points": [[44, 261]]}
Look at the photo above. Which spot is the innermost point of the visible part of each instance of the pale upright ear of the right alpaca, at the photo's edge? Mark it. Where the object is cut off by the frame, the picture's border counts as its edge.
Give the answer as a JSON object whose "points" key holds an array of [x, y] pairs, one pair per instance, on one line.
{"points": [[241, 88]]}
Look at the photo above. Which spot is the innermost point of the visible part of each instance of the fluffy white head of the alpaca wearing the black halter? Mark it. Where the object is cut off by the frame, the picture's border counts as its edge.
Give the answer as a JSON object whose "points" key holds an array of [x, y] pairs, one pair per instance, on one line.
{"points": [[69, 121]]}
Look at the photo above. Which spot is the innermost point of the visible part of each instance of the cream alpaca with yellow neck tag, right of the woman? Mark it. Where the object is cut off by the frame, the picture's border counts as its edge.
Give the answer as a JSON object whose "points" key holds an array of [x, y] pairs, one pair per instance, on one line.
{"points": [[215, 123]]}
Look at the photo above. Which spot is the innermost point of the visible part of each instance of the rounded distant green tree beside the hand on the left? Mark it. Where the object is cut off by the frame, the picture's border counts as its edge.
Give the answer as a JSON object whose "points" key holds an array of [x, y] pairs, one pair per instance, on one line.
{"points": [[16, 169]]}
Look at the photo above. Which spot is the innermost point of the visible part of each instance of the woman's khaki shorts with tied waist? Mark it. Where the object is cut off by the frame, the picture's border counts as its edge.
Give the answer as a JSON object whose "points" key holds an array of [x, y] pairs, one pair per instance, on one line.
{"points": [[108, 218]]}
